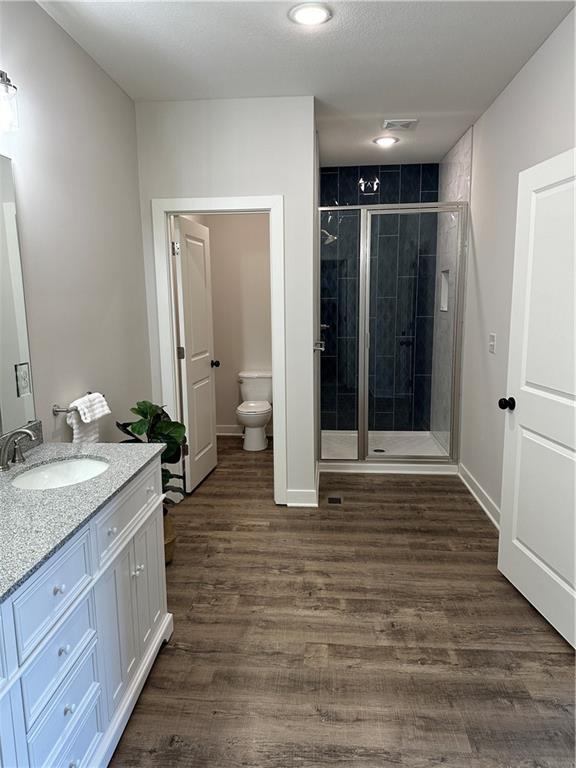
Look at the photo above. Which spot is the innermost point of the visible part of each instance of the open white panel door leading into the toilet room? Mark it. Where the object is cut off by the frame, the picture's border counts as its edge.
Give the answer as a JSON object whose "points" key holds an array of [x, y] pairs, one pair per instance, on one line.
{"points": [[196, 338]]}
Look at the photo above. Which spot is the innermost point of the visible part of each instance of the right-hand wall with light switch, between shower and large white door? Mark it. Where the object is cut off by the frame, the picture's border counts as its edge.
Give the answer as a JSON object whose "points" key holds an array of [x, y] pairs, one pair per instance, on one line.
{"points": [[531, 120]]}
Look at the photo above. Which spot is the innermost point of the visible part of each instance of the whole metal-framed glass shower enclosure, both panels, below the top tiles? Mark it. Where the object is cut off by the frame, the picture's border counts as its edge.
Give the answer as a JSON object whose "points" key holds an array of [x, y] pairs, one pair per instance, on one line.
{"points": [[390, 307]]}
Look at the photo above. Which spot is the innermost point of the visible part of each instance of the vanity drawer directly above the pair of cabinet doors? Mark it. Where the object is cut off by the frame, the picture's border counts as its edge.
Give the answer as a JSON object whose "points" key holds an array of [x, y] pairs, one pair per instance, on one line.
{"points": [[142, 491]]}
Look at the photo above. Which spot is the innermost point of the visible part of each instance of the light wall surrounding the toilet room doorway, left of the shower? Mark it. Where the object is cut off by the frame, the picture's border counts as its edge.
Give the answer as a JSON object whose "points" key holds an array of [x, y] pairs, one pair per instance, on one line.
{"points": [[235, 147]]}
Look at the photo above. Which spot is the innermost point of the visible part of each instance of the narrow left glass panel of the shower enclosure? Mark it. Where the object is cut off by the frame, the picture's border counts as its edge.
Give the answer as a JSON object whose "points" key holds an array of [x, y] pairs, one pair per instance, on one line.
{"points": [[339, 314]]}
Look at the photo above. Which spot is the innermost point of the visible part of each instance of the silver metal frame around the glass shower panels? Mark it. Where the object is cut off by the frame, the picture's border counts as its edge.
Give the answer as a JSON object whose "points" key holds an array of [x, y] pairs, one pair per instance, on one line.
{"points": [[366, 213]]}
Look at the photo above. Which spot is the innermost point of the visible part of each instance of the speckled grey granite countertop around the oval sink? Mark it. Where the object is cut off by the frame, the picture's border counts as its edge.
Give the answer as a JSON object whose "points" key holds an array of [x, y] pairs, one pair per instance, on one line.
{"points": [[35, 524]]}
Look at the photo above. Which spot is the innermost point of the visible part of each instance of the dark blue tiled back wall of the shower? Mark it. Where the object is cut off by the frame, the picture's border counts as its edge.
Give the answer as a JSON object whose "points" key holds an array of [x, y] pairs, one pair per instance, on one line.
{"points": [[402, 287]]}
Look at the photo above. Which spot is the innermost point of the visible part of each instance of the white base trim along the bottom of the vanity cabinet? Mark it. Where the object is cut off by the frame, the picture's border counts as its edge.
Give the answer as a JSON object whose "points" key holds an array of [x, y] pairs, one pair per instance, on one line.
{"points": [[118, 723]]}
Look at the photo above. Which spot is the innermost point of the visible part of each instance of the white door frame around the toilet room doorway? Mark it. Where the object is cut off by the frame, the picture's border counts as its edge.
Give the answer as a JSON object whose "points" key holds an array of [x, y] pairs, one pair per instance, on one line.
{"points": [[273, 205]]}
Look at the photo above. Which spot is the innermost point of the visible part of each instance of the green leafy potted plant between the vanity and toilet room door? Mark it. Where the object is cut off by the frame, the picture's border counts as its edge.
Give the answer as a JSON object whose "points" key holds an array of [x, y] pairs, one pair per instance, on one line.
{"points": [[154, 423]]}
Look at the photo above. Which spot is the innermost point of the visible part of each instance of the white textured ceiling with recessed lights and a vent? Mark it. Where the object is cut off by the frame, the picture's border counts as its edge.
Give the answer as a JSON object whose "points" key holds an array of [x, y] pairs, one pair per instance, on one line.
{"points": [[443, 62]]}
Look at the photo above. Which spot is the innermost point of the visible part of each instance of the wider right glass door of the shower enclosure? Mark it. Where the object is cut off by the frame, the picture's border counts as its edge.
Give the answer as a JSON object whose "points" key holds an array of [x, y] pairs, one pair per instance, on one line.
{"points": [[412, 269]]}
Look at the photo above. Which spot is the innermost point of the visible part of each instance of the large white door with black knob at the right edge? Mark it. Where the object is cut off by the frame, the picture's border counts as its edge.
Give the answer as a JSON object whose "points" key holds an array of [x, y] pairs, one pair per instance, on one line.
{"points": [[537, 534]]}
